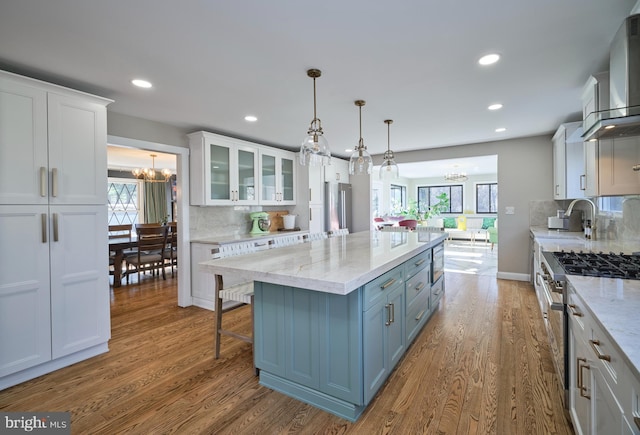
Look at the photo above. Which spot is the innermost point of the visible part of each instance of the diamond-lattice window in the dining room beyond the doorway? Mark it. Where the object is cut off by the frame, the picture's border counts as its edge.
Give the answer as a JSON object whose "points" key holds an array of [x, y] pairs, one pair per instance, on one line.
{"points": [[124, 201]]}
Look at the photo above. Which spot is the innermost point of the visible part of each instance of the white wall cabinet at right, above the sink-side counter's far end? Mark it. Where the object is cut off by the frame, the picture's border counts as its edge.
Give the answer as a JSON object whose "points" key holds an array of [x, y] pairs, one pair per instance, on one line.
{"points": [[568, 164]]}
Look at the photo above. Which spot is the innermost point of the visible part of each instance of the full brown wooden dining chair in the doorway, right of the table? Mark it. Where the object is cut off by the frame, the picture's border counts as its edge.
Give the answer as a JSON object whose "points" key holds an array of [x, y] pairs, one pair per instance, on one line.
{"points": [[150, 252]]}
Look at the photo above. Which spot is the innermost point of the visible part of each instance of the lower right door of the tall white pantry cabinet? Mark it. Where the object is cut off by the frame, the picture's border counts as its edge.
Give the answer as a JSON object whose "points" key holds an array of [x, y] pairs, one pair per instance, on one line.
{"points": [[79, 279]]}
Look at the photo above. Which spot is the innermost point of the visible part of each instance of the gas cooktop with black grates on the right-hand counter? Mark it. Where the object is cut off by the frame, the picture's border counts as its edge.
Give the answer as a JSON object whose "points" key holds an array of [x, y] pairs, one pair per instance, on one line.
{"points": [[601, 265]]}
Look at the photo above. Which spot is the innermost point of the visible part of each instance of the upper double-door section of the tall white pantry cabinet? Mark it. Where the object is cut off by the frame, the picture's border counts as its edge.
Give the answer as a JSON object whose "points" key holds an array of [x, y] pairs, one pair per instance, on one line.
{"points": [[52, 145]]}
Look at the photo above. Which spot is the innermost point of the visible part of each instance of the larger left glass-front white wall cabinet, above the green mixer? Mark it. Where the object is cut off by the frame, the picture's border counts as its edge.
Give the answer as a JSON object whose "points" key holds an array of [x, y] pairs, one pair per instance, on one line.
{"points": [[224, 171]]}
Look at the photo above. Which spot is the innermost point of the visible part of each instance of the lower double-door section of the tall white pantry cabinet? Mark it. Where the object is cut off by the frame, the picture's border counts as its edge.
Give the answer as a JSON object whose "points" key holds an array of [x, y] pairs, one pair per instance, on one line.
{"points": [[54, 298]]}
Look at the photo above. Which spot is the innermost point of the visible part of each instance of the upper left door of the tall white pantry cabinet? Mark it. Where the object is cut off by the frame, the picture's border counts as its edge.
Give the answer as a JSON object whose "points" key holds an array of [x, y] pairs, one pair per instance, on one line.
{"points": [[23, 143]]}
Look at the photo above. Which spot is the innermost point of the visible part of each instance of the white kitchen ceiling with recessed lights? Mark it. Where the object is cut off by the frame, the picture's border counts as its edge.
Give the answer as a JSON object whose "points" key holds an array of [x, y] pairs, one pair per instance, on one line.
{"points": [[413, 61]]}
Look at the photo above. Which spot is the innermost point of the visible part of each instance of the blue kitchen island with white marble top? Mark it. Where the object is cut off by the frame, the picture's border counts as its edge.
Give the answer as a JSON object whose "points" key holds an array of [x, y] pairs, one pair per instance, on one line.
{"points": [[333, 317]]}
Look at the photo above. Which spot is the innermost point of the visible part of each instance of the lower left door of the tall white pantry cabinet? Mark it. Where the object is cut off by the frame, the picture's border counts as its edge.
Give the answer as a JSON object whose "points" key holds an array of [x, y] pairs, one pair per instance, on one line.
{"points": [[25, 327]]}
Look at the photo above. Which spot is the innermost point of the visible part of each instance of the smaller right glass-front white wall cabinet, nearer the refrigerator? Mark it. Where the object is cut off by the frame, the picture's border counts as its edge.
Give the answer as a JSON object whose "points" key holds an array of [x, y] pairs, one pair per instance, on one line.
{"points": [[277, 177]]}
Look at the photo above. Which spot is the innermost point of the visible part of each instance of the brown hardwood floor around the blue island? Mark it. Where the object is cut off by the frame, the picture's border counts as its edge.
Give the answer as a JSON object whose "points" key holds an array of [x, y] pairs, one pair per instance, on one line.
{"points": [[481, 365]]}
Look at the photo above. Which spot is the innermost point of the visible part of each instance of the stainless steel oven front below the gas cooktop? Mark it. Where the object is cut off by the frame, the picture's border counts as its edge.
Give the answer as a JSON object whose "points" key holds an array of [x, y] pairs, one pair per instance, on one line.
{"points": [[553, 300]]}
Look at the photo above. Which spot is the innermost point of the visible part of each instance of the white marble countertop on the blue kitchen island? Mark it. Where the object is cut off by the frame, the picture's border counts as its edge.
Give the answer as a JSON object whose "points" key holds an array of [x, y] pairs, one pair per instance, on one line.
{"points": [[335, 265]]}
